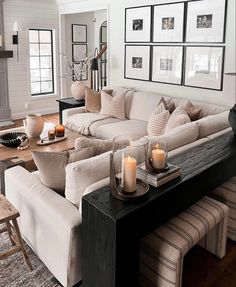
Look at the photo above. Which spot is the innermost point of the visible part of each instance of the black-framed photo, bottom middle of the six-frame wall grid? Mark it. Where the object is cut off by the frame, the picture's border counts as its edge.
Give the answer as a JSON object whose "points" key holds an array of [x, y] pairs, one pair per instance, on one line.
{"points": [[166, 51]]}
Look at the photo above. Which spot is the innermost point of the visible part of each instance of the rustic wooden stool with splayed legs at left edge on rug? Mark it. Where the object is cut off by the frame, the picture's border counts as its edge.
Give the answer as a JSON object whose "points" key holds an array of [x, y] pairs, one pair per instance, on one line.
{"points": [[9, 213]]}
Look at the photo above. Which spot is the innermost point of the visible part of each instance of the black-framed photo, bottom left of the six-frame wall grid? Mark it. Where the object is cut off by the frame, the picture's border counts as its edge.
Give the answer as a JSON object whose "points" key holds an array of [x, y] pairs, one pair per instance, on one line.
{"points": [[137, 62]]}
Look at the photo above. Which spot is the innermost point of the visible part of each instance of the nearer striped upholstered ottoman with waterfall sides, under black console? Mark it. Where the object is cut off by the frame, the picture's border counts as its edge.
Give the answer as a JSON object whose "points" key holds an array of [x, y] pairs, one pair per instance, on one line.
{"points": [[162, 251]]}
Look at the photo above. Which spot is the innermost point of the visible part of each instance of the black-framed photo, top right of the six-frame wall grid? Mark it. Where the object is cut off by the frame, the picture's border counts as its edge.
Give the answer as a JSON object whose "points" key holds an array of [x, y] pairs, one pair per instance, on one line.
{"points": [[206, 21]]}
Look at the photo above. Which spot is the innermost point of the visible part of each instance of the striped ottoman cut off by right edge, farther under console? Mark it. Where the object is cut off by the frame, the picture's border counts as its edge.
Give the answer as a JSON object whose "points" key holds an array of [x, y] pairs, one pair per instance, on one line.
{"points": [[226, 193]]}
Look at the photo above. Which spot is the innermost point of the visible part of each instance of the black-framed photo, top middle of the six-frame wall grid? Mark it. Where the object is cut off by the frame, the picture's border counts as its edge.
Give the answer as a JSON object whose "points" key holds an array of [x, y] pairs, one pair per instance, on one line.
{"points": [[158, 29]]}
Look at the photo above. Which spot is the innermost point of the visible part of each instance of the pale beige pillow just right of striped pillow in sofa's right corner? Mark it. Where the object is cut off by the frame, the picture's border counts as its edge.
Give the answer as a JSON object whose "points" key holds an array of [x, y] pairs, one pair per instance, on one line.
{"points": [[178, 118]]}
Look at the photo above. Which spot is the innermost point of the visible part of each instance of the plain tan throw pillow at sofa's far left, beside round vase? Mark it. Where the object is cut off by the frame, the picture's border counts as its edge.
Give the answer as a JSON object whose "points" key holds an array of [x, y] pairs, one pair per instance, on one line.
{"points": [[92, 101]]}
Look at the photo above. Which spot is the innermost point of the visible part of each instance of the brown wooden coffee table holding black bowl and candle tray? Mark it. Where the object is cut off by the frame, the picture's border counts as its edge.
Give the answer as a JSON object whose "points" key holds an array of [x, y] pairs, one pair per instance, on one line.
{"points": [[10, 157]]}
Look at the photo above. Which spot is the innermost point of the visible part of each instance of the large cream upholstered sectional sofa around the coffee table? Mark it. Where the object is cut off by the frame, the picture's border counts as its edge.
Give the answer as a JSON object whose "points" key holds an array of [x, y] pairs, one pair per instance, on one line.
{"points": [[51, 223]]}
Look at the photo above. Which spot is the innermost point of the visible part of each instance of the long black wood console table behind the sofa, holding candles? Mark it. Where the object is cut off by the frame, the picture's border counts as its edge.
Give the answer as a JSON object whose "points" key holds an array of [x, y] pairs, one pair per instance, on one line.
{"points": [[112, 228]]}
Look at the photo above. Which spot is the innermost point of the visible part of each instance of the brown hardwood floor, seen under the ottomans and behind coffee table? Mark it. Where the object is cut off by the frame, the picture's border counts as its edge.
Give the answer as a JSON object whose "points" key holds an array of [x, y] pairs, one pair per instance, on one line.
{"points": [[201, 269]]}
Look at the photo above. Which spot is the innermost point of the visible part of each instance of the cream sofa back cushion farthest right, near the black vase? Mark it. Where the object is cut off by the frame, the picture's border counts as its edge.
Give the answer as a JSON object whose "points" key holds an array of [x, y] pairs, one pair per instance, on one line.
{"points": [[212, 124]]}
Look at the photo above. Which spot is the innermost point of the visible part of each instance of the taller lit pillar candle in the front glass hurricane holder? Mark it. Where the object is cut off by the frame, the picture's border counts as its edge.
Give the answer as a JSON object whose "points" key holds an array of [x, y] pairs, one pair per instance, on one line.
{"points": [[129, 174]]}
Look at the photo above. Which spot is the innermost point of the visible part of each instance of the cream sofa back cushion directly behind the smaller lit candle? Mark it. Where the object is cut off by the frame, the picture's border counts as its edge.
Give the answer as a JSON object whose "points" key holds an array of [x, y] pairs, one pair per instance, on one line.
{"points": [[180, 136]]}
